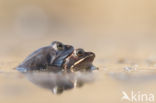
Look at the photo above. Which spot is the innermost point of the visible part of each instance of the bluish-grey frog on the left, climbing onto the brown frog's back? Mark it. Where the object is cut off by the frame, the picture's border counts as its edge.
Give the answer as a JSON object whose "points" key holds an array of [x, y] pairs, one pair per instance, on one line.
{"points": [[49, 57]]}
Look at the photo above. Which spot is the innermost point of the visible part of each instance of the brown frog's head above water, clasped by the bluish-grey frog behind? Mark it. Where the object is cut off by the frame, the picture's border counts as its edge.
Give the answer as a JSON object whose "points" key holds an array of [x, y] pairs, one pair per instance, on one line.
{"points": [[79, 60]]}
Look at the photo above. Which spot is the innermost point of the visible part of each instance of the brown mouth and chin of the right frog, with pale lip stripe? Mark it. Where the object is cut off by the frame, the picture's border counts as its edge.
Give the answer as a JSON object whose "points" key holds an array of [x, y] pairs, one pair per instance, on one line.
{"points": [[84, 63]]}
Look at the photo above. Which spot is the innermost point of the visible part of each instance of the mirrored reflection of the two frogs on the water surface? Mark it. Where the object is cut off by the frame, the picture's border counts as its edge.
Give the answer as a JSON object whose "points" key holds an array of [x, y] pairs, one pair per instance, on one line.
{"points": [[58, 82]]}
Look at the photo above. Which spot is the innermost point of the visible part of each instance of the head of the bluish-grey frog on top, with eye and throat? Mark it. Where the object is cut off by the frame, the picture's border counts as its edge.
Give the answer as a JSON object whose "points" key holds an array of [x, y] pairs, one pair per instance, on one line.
{"points": [[62, 52]]}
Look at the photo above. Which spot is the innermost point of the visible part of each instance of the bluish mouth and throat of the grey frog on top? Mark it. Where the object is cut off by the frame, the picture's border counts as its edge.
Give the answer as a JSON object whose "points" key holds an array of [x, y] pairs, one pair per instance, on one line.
{"points": [[60, 60]]}
